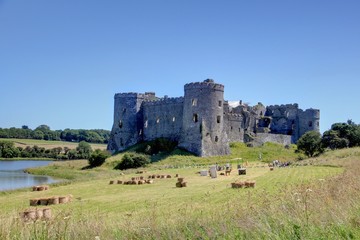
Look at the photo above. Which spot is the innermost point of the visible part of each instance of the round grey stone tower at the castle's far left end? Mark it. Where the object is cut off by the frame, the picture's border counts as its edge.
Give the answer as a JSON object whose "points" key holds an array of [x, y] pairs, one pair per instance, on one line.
{"points": [[127, 126]]}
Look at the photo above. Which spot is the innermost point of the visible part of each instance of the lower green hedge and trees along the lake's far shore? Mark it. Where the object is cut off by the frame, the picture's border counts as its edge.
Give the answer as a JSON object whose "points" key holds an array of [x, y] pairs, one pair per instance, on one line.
{"points": [[9, 150]]}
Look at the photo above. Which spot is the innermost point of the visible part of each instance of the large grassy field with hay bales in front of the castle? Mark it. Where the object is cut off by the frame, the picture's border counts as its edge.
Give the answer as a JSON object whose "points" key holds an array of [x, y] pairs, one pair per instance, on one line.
{"points": [[318, 199]]}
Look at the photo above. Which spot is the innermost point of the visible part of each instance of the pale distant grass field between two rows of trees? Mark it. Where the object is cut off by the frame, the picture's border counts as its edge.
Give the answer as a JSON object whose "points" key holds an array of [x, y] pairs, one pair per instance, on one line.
{"points": [[49, 144]]}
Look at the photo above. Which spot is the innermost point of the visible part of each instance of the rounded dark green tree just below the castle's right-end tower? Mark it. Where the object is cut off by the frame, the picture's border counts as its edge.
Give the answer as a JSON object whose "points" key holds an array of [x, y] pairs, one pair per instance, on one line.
{"points": [[310, 143]]}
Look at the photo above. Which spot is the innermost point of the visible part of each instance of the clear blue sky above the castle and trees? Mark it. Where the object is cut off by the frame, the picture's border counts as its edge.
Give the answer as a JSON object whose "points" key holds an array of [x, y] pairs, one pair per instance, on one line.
{"points": [[61, 62]]}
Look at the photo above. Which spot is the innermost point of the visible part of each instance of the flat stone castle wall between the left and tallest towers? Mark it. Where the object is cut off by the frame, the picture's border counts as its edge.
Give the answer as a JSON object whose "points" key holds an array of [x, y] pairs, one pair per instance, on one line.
{"points": [[163, 118]]}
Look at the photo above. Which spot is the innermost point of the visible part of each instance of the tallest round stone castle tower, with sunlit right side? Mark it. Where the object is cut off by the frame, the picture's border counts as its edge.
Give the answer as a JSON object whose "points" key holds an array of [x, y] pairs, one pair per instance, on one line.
{"points": [[203, 129]]}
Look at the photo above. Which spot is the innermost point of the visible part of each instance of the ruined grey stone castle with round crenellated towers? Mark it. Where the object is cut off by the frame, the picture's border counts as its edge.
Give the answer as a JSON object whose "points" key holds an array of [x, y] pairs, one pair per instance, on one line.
{"points": [[203, 123]]}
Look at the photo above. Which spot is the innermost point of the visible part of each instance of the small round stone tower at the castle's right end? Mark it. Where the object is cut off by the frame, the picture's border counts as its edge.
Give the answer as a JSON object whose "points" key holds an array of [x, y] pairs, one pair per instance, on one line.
{"points": [[309, 120]]}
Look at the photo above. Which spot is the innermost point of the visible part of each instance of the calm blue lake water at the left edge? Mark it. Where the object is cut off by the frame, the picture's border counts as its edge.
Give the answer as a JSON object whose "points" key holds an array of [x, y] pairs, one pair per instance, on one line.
{"points": [[12, 174]]}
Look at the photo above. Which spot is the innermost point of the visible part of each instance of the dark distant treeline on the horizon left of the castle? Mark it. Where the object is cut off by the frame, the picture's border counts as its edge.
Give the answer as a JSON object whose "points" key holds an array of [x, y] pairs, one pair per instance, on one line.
{"points": [[43, 132]]}
